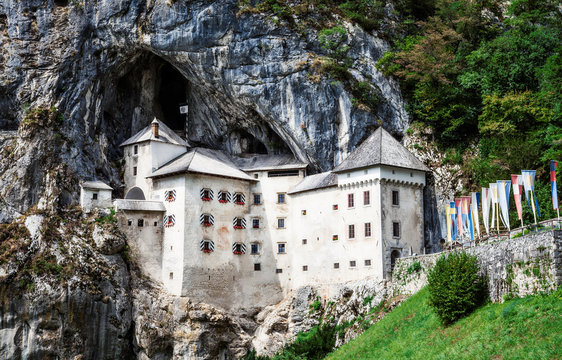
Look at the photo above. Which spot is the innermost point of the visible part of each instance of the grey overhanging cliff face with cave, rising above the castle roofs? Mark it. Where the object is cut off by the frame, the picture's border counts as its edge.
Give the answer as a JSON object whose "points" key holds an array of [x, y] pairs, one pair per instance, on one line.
{"points": [[109, 67]]}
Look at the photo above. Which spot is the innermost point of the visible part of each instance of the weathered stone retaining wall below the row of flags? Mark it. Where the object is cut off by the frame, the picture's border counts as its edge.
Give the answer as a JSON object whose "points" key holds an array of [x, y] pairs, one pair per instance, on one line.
{"points": [[515, 267]]}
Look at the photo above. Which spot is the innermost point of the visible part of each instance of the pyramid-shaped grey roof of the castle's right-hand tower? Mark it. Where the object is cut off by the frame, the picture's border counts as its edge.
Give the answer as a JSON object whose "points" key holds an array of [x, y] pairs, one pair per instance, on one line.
{"points": [[380, 148]]}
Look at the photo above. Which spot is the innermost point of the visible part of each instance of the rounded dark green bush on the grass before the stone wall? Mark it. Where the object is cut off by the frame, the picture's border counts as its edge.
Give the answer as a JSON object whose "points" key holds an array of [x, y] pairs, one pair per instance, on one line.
{"points": [[456, 288]]}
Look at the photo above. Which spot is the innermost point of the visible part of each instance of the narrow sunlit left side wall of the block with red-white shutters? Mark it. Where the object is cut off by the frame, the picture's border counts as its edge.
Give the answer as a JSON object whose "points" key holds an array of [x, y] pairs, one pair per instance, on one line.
{"points": [[173, 239]]}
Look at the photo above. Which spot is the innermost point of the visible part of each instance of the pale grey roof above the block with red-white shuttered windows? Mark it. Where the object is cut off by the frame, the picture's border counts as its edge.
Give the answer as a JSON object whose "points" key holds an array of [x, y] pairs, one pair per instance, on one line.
{"points": [[203, 161]]}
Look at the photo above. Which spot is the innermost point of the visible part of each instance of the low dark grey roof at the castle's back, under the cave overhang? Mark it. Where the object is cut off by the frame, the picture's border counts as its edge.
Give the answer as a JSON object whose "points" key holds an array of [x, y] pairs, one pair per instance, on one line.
{"points": [[262, 162]]}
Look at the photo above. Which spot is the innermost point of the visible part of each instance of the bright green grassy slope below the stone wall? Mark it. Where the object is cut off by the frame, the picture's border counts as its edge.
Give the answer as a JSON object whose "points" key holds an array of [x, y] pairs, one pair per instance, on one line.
{"points": [[527, 328]]}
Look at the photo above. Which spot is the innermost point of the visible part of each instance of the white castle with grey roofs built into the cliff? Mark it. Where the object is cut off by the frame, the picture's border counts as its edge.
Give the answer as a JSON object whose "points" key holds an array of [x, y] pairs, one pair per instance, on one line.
{"points": [[243, 231]]}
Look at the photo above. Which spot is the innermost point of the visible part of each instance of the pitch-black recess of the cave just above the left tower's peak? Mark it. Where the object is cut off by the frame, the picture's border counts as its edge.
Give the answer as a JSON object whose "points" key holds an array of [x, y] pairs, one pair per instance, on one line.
{"points": [[172, 93]]}
